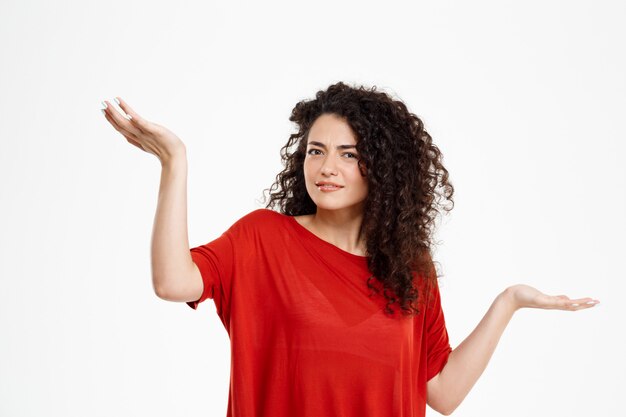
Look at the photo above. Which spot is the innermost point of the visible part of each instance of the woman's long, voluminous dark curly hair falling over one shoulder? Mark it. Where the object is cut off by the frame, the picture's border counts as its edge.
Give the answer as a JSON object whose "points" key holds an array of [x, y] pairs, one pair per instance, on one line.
{"points": [[405, 177]]}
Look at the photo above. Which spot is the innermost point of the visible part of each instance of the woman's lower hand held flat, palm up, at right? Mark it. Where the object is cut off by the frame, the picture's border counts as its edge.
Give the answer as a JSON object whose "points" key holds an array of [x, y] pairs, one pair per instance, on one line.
{"points": [[522, 296]]}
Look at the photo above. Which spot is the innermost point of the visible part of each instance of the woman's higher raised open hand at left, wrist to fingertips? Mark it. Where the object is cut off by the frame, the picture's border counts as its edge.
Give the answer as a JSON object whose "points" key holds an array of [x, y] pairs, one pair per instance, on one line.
{"points": [[147, 136]]}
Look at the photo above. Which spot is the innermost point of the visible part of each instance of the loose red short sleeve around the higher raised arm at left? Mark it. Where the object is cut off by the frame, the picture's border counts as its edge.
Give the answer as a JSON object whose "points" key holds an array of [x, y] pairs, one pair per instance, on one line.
{"points": [[214, 260]]}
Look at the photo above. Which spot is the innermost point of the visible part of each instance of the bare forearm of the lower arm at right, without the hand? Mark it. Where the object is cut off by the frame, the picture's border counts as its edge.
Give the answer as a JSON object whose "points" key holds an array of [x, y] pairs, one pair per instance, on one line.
{"points": [[468, 361]]}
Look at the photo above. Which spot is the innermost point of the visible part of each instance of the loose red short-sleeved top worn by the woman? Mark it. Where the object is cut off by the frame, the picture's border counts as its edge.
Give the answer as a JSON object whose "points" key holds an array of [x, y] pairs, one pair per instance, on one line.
{"points": [[306, 340]]}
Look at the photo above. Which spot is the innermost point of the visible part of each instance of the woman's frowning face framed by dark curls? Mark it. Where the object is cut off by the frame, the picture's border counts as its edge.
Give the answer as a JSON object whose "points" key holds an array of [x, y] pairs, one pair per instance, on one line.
{"points": [[332, 158]]}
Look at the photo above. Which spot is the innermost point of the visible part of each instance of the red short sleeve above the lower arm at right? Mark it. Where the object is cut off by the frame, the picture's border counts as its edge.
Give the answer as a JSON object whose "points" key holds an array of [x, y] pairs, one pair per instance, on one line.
{"points": [[437, 343]]}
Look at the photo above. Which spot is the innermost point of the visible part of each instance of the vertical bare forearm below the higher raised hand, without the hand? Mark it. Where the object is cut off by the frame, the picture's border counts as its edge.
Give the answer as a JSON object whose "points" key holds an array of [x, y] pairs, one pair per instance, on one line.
{"points": [[170, 257]]}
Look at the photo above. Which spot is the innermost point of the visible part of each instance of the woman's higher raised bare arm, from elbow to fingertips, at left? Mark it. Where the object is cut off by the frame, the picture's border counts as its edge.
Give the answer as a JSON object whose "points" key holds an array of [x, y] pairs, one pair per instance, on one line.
{"points": [[174, 275]]}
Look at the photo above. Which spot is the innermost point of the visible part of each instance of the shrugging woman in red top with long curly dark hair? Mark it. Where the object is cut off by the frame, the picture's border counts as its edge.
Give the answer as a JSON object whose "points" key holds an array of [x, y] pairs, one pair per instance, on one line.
{"points": [[307, 292]]}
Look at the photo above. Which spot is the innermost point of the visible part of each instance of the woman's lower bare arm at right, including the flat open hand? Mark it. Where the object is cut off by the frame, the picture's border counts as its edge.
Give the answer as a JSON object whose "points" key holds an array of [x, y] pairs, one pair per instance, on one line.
{"points": [[468, 361]]}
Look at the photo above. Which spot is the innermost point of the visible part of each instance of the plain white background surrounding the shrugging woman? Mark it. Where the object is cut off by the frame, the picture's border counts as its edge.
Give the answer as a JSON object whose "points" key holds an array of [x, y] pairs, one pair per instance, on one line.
{"points": [[526, 100]]}
